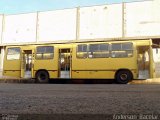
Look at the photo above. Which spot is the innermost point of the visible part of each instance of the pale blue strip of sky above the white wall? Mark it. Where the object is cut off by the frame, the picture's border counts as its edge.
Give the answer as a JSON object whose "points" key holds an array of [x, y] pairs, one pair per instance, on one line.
{"points": [[27, 6]]}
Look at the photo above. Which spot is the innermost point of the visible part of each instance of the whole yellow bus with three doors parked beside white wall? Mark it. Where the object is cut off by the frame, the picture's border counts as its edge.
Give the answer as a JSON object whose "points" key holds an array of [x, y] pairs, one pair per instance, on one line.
{"points": [[119, 60]]}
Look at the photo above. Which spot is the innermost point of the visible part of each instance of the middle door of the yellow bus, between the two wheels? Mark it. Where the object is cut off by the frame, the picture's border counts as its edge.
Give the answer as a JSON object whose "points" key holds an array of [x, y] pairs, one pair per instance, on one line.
{"points": [[64, 63]]}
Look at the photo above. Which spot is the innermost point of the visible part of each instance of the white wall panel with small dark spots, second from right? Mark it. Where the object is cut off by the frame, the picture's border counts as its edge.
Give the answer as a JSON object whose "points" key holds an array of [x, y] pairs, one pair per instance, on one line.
{"points": [[101, 21]]}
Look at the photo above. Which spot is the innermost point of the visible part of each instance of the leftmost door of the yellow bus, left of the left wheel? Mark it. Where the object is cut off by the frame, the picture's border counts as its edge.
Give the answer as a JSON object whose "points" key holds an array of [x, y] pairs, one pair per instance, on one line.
{"points": [[26, 64]]}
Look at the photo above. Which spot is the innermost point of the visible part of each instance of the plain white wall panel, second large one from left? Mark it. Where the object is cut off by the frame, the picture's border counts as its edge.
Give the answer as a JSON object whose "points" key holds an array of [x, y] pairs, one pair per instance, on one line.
{"points": [[57, 25]]}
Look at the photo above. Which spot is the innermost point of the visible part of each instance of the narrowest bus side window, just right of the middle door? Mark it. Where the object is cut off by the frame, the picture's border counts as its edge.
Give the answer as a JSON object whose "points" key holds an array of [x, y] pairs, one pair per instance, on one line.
{"points": [[82, 51]]}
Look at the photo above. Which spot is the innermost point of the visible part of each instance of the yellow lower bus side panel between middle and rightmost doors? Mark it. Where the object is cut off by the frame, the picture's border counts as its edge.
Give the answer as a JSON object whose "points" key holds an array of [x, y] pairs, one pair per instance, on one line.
{"points": [[104, 68]]}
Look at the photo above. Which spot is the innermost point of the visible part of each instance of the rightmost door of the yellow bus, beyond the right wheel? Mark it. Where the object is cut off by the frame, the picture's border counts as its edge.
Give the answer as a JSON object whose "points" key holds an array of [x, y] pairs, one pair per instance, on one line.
{"points": [[143, 62]]}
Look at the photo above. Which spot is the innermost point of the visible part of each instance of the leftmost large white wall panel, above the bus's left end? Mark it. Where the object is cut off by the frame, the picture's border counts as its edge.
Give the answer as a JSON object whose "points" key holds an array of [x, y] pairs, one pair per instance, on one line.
{"points": [[19, 28]]}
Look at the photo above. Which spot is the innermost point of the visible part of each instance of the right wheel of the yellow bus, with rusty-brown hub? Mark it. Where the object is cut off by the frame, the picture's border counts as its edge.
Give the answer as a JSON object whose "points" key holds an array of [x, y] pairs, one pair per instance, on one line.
{"points": [[123, 76]]}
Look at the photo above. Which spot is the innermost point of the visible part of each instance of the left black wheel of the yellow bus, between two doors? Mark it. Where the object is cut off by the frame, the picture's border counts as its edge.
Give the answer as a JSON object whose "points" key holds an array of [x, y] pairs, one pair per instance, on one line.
{"points": [[42, 77]]}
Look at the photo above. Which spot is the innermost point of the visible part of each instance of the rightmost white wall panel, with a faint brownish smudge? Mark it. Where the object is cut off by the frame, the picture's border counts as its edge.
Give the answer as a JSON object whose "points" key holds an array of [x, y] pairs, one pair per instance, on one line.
{"points": [[142, 19]]}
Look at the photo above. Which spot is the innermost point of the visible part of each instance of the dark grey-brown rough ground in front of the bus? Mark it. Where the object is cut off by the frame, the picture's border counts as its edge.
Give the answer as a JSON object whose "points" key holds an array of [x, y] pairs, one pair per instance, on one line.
{"points": [[89, 101]]}
